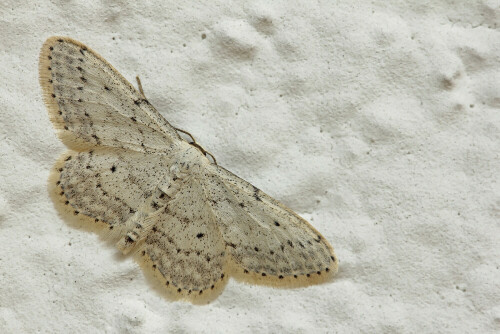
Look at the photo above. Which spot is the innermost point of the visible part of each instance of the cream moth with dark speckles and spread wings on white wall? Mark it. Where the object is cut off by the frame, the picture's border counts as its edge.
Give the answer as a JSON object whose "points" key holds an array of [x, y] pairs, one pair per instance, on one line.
{"points": [[190, 223]]}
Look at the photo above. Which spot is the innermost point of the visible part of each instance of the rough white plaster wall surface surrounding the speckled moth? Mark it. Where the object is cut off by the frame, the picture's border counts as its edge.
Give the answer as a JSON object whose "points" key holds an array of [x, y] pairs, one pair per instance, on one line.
{"points": [[378, 121]]}
